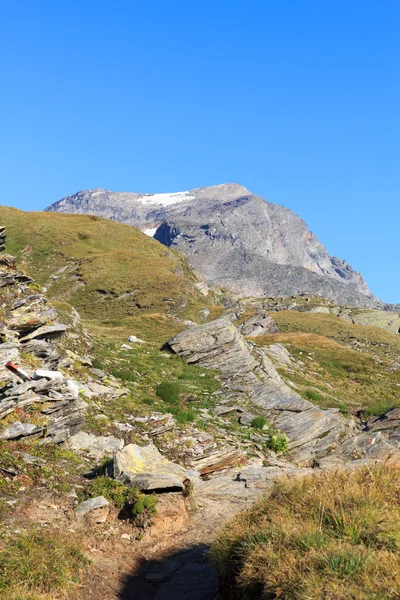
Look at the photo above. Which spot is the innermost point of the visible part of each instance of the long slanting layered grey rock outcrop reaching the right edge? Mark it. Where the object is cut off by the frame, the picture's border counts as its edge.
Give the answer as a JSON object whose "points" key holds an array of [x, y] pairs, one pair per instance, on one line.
{"points": [[317, 437]]}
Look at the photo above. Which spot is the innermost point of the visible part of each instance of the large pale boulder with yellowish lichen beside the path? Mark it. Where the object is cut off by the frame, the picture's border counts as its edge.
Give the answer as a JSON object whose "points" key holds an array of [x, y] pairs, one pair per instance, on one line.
{"points": [[145, 468]]}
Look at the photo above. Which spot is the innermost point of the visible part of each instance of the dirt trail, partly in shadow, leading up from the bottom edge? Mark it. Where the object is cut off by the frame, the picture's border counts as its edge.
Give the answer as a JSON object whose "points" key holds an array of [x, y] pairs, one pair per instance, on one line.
{"points": [[174, 563]]}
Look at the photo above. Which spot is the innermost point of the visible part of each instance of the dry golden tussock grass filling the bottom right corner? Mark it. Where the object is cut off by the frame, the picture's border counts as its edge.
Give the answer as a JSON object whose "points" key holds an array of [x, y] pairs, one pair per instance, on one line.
{"points": [[335, 536]]}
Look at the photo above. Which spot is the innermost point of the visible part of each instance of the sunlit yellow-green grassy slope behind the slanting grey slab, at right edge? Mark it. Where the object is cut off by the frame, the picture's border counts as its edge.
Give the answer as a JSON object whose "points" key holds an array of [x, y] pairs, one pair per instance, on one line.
{"points": [[340, 365]]}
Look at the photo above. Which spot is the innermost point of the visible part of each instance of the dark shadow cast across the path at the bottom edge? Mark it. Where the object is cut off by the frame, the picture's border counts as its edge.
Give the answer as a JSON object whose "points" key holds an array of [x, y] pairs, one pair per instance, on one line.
{"points": [[181, 575]]}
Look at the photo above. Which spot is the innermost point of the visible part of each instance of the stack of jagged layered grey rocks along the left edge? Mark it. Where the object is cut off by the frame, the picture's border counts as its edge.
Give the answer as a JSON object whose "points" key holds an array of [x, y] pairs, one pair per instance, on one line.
{"points": [[25, 329]]}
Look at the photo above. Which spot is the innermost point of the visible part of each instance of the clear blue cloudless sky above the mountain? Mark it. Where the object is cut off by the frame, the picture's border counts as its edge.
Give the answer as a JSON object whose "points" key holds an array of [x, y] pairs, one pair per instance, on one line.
{"points": [[298, 100]]}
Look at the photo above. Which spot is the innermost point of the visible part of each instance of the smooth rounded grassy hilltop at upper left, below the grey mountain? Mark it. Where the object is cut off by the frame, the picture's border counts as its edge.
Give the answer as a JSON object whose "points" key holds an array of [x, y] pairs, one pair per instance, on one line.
{"points": [[111, 273]]}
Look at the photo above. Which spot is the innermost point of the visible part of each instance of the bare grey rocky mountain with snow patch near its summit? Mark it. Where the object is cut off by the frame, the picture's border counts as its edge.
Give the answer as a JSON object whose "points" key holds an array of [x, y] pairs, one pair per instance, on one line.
{"points": [[234, 238]]}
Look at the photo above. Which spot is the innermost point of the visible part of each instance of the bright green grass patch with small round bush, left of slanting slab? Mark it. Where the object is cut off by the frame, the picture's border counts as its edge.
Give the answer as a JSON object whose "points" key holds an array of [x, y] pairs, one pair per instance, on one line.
{"points": [[159, 382]]}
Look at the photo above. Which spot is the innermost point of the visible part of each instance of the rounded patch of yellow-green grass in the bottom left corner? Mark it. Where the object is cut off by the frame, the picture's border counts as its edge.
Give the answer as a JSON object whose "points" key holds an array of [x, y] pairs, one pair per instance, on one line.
{"points": [[35, 563]]}
